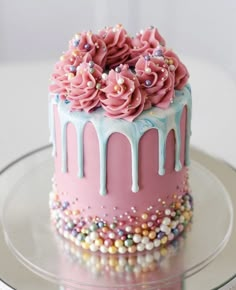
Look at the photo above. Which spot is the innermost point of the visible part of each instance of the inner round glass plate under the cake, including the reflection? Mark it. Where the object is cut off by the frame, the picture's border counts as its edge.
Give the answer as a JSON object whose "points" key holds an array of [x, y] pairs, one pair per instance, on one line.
{"points": [[33, 240]]}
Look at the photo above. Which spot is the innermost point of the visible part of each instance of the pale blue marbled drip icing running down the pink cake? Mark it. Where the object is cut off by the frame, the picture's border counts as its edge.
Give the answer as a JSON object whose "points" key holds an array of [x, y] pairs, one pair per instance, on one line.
{"points": [[155, 118]]}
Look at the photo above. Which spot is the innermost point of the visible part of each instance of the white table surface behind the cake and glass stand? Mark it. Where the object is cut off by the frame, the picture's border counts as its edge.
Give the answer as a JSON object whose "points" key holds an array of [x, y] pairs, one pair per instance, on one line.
{"points": [[24, 117]]}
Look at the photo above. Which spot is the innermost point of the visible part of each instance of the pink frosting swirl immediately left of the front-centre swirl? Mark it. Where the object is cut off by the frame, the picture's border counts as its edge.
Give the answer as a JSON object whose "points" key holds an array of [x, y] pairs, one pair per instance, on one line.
{"points": [[85, 92]]}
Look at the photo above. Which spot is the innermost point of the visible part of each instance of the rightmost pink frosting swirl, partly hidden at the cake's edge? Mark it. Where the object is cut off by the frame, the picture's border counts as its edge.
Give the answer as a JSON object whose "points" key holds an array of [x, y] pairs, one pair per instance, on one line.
{"points": [[180, 70]]}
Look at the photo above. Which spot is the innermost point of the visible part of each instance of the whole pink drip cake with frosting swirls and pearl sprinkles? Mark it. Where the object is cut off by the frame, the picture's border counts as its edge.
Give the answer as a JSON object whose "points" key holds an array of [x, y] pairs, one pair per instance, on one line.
{"points": [[120, 125]]}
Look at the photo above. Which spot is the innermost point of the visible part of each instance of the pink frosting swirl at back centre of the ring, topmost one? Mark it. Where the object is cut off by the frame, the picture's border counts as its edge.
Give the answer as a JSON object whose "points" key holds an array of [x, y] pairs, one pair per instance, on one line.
{"points": [[118, 45]]}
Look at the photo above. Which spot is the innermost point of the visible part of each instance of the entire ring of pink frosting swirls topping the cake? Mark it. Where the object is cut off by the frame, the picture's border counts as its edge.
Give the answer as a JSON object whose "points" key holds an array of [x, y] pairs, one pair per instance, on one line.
{"points": [[124, 75]]}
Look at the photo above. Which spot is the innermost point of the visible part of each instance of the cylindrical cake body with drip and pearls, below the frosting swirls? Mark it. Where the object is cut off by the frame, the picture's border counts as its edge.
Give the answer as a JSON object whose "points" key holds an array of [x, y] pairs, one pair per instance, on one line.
{"points": [[119, 212]]}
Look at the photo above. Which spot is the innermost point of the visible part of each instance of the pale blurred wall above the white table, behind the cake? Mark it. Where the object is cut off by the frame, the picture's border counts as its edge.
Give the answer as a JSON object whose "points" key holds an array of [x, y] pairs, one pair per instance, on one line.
{"points": [[40, 29]]}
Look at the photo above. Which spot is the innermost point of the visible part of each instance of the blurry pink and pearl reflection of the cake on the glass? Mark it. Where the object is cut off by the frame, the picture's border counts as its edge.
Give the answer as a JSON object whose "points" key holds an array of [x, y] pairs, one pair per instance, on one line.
{"points": [[160, 268]]}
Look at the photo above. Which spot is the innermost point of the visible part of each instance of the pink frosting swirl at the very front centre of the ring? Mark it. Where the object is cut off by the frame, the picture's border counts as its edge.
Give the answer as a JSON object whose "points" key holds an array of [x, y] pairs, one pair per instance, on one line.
{"points": [[122, 95]]}
